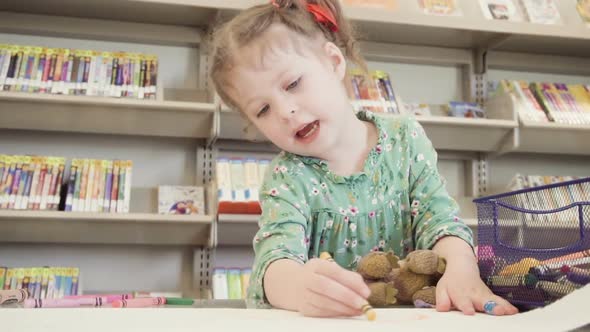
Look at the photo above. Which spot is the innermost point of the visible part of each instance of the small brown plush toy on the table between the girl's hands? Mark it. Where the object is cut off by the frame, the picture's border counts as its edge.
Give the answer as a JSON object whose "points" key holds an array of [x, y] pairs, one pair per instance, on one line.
{"points": [[408, 281]]}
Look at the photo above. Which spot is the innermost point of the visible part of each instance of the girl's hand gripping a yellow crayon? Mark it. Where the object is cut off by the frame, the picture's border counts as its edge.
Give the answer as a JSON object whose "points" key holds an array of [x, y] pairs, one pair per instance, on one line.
{"points": [[328, 290]]}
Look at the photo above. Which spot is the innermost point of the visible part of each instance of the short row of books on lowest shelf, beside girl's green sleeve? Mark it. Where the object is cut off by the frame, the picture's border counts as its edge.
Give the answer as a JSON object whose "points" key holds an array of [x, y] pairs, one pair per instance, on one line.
{"points": [[230, 283]]}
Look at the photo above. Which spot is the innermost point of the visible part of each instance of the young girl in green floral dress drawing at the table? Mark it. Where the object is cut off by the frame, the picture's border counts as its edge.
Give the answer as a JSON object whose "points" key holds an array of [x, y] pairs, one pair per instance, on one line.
{"points": [[345, 183]]}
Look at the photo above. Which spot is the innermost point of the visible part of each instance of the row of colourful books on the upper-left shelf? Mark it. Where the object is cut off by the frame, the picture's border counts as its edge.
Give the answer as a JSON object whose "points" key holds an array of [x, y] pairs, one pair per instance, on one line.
{"points": [[38, 69]]}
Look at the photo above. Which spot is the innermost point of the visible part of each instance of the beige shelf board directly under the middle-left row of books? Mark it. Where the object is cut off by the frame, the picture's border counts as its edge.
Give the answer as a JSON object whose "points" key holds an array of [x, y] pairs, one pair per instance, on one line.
{"points": [[103, 228]]}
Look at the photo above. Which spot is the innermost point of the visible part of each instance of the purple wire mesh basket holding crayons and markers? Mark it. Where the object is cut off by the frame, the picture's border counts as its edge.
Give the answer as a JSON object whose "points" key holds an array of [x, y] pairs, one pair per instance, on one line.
{"points": [[524, 237]]}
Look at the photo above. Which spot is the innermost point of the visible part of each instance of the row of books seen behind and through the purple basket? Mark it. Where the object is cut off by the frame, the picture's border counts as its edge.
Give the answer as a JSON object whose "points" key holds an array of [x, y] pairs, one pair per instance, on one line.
{"points": [[549, 199]]}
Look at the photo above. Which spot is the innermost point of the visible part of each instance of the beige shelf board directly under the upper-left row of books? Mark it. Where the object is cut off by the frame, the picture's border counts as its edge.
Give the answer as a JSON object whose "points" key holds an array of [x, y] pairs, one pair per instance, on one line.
{"points": [[105, 115]]}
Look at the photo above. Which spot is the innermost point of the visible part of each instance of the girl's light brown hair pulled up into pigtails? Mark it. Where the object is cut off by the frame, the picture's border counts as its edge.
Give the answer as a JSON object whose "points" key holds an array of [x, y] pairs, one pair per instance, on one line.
{"points": [[251, 23]]}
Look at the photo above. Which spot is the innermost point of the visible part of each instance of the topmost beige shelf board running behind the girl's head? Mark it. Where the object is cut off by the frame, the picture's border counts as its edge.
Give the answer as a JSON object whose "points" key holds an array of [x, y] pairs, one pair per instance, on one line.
{"points": [[406, 25]]}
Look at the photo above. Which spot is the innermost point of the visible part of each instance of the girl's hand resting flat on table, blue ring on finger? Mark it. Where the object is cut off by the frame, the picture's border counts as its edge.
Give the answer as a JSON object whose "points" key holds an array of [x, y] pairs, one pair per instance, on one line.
{"points": [[462, 288]]}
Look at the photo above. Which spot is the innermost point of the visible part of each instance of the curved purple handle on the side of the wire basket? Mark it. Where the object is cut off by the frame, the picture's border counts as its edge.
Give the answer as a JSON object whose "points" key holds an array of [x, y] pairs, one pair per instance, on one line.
{"points": [[571, 246]]}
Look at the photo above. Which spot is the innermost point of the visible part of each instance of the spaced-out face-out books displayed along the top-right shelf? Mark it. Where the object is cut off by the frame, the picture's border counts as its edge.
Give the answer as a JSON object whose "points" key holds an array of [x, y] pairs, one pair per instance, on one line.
{"points": [[534, 11]]}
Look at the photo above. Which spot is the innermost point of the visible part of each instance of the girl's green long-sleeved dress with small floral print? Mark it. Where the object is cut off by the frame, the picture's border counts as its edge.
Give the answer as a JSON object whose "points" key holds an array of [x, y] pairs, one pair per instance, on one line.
{"points": [[398, 202]]}
